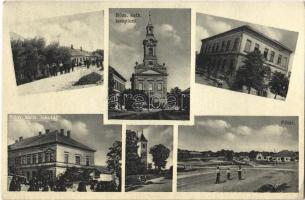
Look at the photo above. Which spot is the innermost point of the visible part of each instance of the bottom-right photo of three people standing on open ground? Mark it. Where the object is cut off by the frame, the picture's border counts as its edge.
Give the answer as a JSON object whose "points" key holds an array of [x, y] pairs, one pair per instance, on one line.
{"points": [[239, 154]]}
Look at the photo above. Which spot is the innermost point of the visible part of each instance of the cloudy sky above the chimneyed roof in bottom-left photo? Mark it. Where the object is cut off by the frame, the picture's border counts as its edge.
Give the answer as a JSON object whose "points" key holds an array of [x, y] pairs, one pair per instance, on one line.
{"points": [[86, 129]]}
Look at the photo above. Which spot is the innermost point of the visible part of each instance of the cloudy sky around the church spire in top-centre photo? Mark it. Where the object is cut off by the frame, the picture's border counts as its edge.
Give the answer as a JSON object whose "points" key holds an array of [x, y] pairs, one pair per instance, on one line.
{"points": [[172, 30]]}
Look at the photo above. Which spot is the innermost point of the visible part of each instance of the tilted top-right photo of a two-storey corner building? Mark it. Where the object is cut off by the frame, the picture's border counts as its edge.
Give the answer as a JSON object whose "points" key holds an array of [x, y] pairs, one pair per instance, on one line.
{"points": [[244, 57]]}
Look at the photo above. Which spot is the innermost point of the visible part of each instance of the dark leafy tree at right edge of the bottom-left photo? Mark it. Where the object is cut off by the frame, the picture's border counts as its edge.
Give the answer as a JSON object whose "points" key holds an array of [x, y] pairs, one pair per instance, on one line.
{"points": [[113, 160]]}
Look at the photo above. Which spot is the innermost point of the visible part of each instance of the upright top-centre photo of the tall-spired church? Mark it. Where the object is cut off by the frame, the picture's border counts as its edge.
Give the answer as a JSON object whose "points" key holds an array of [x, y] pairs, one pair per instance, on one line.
{"points": [[149, 64]]}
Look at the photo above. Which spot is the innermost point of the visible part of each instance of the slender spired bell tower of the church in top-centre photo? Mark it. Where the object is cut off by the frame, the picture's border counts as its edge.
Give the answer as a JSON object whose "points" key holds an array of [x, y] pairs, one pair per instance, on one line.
{"points": [[150, 44]]}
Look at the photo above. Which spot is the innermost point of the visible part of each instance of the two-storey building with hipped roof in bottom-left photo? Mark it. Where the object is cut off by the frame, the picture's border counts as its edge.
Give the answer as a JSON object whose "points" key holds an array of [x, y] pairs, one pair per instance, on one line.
{"points": [[52, 151]]}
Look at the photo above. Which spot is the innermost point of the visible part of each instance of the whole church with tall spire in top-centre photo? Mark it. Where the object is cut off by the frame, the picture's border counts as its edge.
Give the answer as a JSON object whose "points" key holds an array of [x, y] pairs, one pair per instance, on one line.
{"points": [[150, 76]]}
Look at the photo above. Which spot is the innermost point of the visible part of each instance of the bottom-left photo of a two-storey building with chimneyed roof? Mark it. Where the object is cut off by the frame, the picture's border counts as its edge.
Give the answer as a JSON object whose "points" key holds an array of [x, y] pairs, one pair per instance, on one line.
{"points": [[63, 153]]}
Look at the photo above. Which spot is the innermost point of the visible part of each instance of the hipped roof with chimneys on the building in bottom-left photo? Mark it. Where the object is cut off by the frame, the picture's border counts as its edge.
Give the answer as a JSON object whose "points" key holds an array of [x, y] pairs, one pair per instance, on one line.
{"points": [[54, 137]]}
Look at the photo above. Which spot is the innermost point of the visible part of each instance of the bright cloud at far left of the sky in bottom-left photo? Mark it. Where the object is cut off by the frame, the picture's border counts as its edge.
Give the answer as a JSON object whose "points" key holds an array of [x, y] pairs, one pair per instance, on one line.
{"points": [[23, 128]]}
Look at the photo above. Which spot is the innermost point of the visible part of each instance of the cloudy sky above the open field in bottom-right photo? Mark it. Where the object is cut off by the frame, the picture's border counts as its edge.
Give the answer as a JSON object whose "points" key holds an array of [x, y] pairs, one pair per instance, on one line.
{"points": [[240, 133]]}
